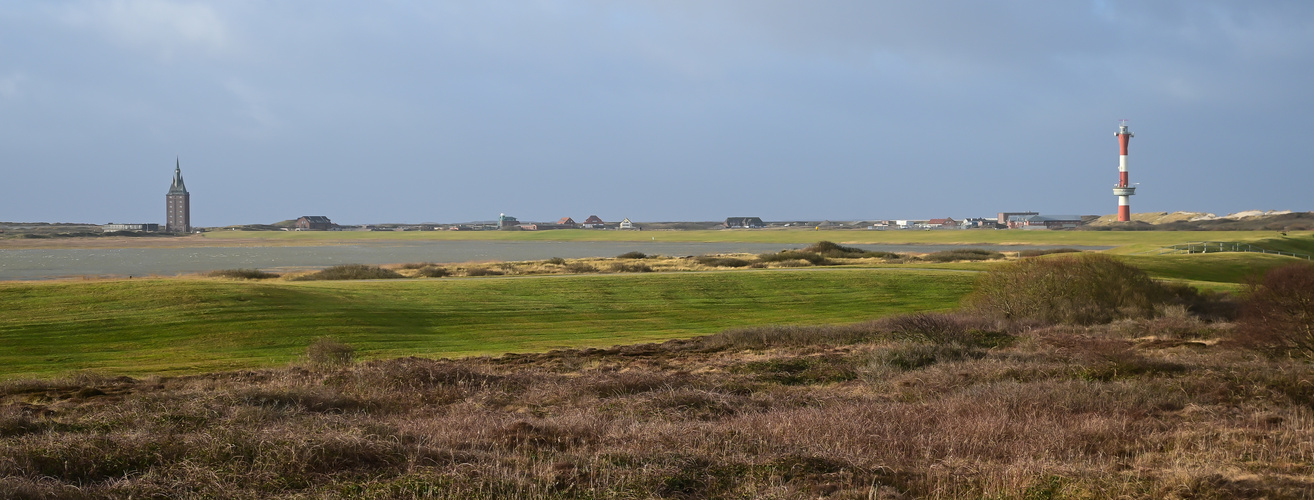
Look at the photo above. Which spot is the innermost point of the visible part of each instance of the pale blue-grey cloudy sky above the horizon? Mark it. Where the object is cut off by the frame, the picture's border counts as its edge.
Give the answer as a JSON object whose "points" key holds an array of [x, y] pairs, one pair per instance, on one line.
{"points": [[374, 112]]}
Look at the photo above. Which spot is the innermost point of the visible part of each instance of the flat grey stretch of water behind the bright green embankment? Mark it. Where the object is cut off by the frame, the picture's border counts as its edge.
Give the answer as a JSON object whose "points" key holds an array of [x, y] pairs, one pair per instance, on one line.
{"points": [[47, 264]]}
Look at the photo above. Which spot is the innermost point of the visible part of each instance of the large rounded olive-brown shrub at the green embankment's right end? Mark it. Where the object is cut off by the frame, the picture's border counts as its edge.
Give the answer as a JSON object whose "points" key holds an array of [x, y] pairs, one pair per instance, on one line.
{"points": [[1083, 289]]}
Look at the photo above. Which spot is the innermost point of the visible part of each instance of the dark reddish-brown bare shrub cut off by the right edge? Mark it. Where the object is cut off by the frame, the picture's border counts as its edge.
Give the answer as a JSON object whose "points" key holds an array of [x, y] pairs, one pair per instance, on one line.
{"points": [[1278, 313]]}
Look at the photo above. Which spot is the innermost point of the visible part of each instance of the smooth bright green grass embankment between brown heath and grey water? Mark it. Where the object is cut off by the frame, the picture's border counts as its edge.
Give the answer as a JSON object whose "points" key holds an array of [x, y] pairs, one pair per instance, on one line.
{"points": [[193, 326]]}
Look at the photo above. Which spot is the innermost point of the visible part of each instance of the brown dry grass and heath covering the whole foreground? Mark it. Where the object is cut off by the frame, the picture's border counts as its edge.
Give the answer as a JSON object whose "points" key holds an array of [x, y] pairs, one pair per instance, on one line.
{"points": [[1028, 411]]}
